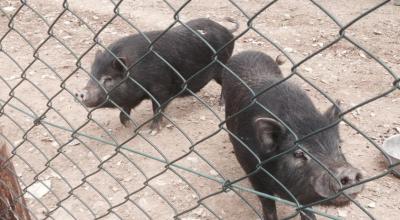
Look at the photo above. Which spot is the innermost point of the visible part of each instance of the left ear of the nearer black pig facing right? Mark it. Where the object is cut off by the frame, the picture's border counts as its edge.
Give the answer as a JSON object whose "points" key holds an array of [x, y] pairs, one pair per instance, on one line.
{"points": [[268, 131]]}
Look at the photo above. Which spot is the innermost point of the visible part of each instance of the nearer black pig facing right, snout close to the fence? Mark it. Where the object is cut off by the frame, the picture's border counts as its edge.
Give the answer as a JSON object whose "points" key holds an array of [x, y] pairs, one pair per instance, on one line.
{"points": [[266, 136]]}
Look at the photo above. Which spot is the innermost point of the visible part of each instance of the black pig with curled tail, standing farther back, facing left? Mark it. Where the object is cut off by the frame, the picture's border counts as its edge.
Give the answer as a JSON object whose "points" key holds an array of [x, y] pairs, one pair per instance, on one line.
{"points": [[180, 47]]}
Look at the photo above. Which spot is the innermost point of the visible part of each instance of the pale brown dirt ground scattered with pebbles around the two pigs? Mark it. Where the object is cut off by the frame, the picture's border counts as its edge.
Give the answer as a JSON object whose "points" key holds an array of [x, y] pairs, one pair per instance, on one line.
{"points": [[81, 186]]}
